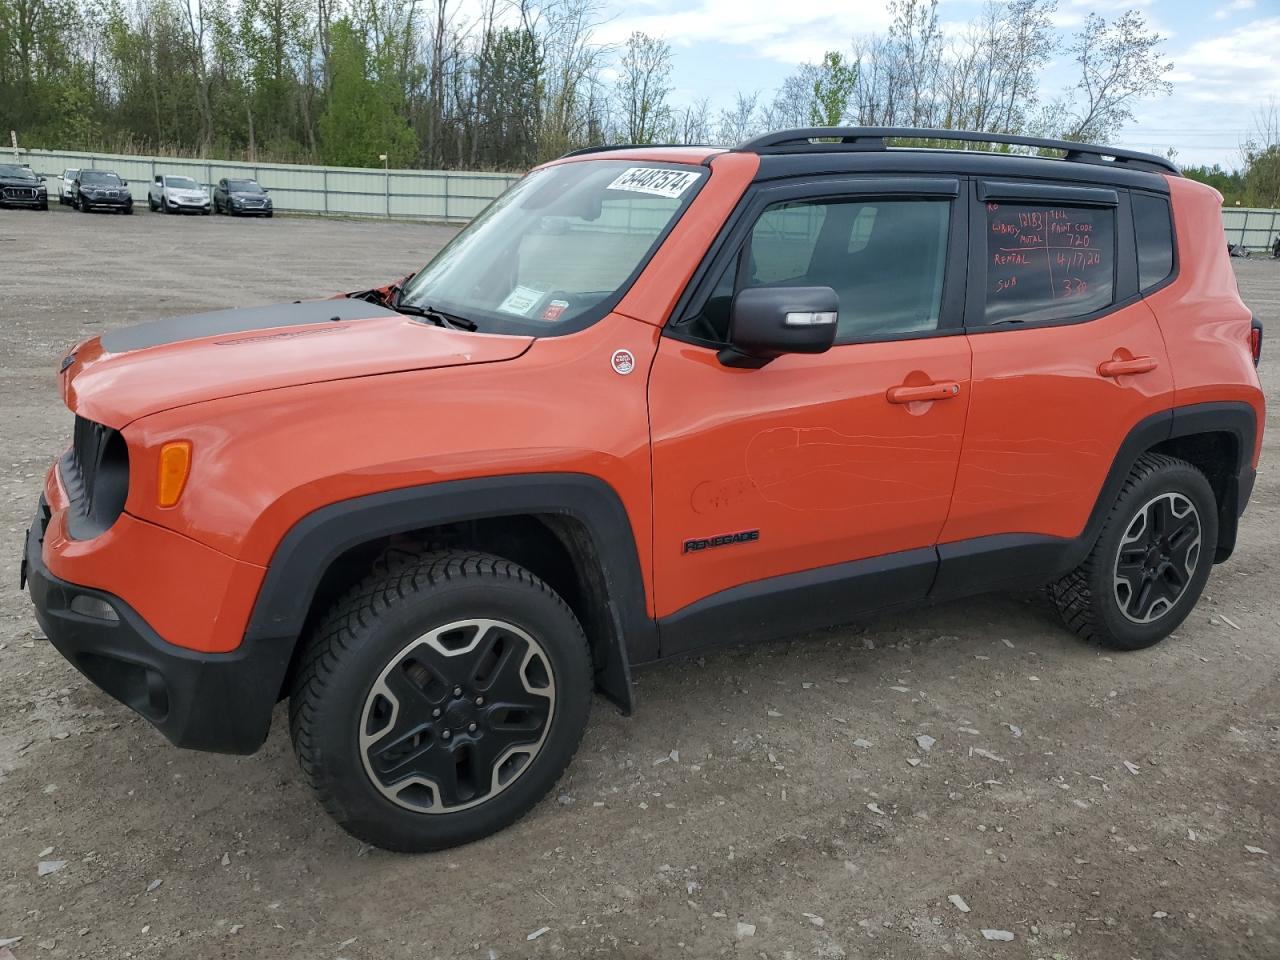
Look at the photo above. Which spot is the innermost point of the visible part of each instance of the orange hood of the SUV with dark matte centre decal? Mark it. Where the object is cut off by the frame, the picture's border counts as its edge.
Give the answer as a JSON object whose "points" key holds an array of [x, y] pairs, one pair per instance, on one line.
{"points": [[135, 372]]}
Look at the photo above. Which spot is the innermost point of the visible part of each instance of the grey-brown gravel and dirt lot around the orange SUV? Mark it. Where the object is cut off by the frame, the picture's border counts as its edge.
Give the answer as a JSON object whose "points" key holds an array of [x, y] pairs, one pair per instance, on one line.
{"points": [[766, 787]]}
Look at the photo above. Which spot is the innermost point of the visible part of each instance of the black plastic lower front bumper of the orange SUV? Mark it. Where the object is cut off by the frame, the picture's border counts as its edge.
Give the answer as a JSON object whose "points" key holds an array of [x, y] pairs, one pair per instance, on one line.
{"points": [[220, 702]]}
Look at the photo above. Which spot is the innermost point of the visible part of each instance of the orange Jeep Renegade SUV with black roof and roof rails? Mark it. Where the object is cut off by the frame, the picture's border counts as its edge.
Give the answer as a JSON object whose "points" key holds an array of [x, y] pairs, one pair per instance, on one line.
{"points": [[653, 400]]}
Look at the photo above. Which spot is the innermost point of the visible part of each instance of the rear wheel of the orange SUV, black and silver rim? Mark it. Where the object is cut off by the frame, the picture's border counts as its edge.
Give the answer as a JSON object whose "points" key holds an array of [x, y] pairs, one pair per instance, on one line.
{"points": [[1151, 560]]}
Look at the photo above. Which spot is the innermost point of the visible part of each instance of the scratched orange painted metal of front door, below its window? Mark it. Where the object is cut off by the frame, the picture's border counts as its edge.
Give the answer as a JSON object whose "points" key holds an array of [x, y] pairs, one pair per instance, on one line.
{"points": [[808, 450]]}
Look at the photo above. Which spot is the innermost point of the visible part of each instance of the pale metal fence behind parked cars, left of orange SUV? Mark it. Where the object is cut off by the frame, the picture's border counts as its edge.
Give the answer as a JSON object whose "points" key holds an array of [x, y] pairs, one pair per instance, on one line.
{"points": [[427, 195]]}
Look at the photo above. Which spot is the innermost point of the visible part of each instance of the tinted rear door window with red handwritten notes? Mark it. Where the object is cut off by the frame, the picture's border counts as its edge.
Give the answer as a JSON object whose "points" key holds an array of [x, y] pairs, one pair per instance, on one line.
{"points": [[1049, 262]]}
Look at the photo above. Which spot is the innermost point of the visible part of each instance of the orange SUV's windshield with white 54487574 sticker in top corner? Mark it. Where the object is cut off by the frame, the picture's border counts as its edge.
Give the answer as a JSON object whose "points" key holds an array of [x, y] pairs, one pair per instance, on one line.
{"points": [[556, 252]]}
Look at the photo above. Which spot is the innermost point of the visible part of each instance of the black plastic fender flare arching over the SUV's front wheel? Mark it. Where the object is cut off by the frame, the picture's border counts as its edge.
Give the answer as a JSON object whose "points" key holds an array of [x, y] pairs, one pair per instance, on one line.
{"points": [[318, 540]]}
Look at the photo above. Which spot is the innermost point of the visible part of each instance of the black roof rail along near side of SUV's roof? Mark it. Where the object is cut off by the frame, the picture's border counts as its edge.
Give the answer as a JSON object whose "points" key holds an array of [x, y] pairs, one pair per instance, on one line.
{"points": [[811, 139]]}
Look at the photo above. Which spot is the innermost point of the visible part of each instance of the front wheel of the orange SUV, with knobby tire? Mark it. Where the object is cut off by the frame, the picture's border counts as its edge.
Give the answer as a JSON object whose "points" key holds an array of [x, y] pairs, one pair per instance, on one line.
{"points": [[441, 700]]}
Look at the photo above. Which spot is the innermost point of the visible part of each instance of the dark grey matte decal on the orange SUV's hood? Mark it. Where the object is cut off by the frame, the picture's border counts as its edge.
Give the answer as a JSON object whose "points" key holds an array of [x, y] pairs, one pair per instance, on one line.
{"points": [[243, 321]]}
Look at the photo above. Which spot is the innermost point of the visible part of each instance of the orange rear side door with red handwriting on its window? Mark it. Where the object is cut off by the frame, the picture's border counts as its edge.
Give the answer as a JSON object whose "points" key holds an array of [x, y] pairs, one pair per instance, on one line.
{"points": [[1067, 360]]}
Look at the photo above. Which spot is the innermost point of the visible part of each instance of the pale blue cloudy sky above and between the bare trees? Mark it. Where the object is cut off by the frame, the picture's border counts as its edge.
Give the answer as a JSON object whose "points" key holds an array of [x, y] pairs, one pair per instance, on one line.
{"points": [[1226, 54]]}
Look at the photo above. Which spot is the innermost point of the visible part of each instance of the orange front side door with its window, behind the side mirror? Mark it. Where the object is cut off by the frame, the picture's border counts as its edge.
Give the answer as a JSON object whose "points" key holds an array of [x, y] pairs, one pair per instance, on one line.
{"points": [[815, 487]]}
